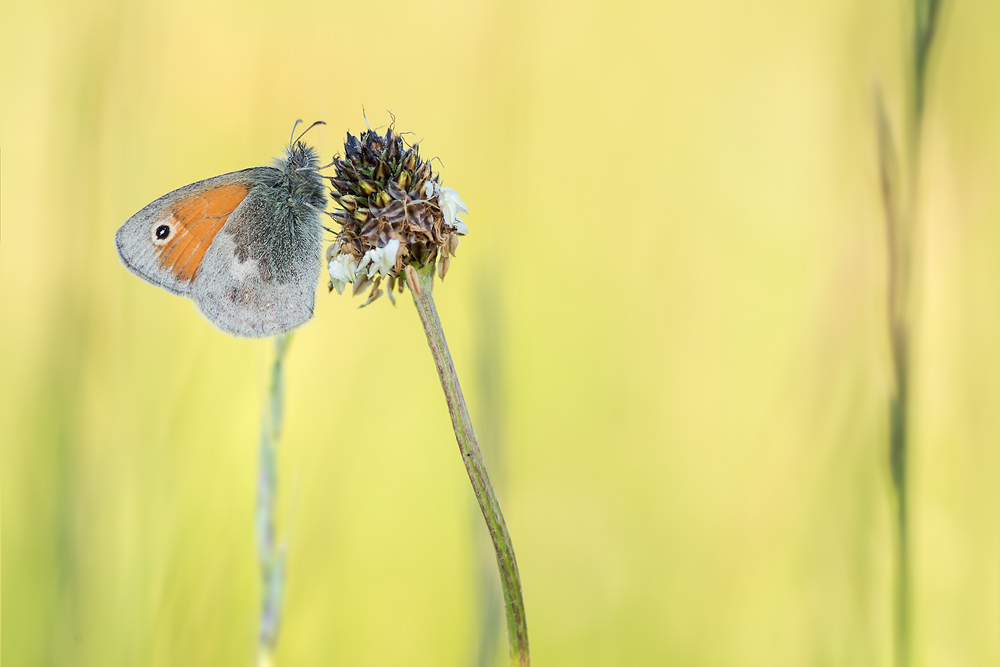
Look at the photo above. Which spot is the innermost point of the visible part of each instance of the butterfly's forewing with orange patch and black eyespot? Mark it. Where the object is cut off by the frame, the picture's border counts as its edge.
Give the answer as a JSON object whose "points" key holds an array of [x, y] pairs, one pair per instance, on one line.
{"points": [[166, 242]]}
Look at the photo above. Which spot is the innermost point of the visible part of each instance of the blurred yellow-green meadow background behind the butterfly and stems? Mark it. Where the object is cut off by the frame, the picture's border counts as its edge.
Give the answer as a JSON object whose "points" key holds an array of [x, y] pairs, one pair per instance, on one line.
{"points": [[670, 313]]}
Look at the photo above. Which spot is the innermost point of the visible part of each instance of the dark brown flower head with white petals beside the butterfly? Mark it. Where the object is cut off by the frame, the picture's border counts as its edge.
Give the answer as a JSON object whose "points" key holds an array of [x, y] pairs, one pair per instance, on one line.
{"points": [[394, 214]]}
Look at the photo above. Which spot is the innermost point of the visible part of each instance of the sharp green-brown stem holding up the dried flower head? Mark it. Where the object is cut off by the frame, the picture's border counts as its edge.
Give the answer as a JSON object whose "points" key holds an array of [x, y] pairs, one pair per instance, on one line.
{"points": [[510, 580]]}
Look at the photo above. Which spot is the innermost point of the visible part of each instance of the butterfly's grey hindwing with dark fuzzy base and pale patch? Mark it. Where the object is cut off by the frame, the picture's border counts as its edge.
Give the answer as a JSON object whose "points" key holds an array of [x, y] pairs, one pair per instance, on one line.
{"points": [[260, 274]]}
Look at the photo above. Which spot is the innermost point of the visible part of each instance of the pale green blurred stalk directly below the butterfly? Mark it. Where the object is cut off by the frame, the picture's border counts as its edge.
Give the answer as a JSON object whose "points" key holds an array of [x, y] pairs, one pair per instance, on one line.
{"points": [[270, 554]]}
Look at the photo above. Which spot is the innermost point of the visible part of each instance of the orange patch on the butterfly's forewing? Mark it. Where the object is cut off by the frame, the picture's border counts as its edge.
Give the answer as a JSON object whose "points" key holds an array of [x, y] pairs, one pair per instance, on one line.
{"points": [[193, 224]]}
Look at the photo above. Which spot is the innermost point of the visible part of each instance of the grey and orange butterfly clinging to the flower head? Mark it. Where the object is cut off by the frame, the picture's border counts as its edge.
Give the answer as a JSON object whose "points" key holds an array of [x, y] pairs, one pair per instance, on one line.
{"points": [[245, 246]]}
